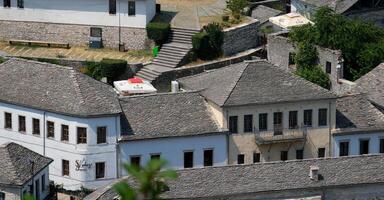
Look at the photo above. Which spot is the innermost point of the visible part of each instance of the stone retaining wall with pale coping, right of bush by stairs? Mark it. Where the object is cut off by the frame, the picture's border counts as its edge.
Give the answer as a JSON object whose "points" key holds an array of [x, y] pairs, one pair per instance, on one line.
{"points": [[241, 38]]}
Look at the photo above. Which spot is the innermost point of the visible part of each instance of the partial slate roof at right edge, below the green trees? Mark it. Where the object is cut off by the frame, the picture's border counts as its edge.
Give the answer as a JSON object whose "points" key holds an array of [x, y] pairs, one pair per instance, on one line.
{"points": [[372, 83]]}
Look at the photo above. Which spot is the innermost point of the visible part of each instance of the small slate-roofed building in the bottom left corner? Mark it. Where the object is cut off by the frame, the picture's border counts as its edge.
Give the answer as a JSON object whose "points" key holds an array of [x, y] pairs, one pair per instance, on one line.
{"points": [[23, 172]]}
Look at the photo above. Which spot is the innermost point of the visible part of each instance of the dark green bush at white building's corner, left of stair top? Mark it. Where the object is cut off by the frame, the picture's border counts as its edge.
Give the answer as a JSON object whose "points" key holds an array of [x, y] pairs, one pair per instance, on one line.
{"points": [[158, 31]]}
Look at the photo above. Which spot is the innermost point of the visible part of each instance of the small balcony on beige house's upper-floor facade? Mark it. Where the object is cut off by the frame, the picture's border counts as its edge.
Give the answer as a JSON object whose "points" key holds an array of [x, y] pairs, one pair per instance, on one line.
{"points": [[280, 135]]}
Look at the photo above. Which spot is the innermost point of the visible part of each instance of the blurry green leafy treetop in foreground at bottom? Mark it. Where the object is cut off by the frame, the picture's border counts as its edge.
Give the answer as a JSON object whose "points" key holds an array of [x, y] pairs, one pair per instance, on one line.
{"points": [[150, 180]]}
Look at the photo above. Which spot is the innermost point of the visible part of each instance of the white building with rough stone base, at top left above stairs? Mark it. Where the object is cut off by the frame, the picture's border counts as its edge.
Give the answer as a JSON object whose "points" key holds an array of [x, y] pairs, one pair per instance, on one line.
{"points": [[109, 22]]}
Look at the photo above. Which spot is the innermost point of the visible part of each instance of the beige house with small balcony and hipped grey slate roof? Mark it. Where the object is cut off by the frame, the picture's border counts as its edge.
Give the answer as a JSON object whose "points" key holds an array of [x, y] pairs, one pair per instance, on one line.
{"points": [[271, 114]]}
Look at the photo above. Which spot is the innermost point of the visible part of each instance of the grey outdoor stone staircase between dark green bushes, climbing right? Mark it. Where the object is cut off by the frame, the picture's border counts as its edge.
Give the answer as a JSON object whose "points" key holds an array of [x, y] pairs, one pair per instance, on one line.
{"points": [[173, 54]]}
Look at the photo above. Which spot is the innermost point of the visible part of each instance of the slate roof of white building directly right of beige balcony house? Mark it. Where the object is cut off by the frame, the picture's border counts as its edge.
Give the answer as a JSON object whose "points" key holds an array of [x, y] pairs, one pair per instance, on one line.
{"points": [[356, 111]]}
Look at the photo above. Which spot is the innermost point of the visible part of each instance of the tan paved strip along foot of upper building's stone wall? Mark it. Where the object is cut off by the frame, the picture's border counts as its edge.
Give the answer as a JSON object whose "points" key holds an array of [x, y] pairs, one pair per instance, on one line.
{"points": [[74, 53]]}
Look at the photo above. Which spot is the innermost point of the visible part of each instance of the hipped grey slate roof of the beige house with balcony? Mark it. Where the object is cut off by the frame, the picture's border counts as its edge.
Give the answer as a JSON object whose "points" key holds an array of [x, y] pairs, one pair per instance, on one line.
{"points": [[257, 82]]}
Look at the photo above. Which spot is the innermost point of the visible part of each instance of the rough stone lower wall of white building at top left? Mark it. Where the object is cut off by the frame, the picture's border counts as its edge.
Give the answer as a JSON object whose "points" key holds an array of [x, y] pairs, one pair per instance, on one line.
{"points": [[134, 38]]}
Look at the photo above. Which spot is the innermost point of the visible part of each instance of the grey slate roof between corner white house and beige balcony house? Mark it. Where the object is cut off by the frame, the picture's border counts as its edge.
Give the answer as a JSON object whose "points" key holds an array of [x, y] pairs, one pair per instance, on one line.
{"points": [[166, 115]]}
